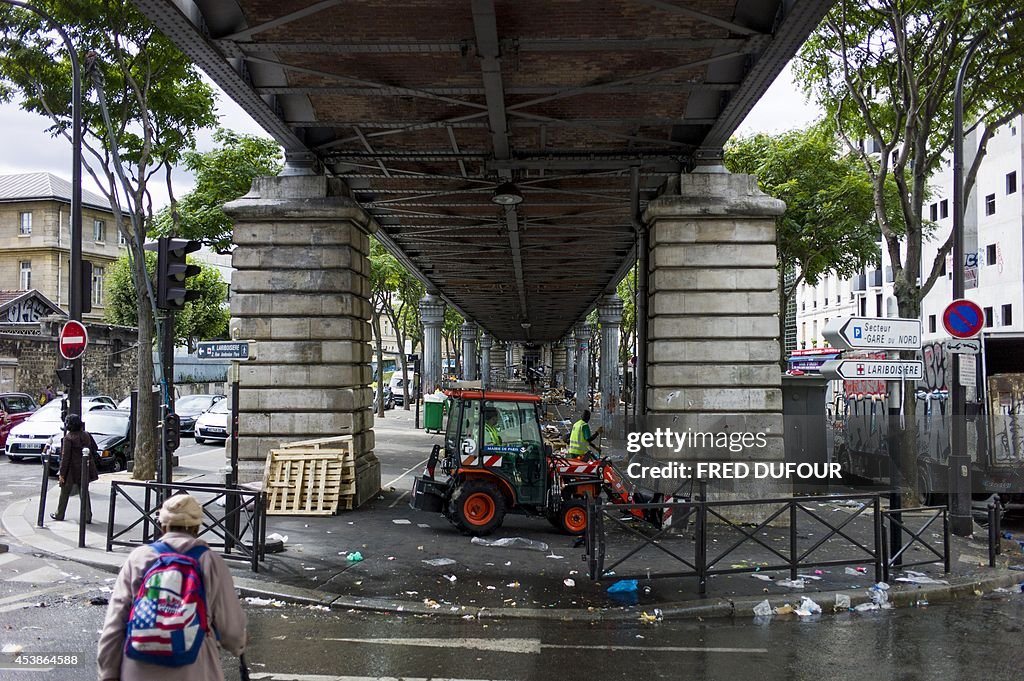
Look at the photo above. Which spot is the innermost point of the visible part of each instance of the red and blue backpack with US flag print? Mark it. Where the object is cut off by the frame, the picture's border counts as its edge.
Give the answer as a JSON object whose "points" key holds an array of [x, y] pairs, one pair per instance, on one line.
{"points": [[168, 620]]}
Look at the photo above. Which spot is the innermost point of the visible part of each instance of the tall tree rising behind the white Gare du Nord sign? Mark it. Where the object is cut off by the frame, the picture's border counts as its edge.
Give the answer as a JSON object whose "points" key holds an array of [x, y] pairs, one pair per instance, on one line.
{"points": [[885, 72]]}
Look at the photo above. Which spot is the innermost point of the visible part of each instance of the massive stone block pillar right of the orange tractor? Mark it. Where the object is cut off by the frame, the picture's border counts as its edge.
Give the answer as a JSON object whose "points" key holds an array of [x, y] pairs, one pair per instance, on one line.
{"points": [[713, 347]]}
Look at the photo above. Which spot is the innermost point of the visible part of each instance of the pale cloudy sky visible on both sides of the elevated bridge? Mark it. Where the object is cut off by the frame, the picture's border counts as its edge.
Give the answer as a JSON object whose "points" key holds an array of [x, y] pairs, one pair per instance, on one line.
{"points": [[28, 148]]}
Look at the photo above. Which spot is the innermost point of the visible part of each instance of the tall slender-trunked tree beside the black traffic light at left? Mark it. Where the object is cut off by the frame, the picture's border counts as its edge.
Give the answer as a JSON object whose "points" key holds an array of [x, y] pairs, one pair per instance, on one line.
{"points": [[148, 101]]}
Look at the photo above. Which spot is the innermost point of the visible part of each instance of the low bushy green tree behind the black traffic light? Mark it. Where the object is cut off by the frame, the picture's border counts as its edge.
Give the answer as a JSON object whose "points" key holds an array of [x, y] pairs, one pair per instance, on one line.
{"points": [[204, 319]]}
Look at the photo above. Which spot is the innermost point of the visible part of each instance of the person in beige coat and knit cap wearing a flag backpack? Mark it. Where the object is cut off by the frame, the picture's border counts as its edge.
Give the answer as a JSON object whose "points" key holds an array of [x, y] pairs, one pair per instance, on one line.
{"points": [[174, 607]]}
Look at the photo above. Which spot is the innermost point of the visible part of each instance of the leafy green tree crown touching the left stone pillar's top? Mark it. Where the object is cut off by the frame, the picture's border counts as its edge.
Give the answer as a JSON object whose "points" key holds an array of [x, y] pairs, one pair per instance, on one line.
{"points": [[223, 175]]}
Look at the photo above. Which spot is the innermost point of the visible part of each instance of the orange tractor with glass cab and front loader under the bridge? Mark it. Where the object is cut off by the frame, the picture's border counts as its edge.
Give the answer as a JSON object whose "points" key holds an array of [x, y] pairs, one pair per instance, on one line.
{"points": [[495, 462]]}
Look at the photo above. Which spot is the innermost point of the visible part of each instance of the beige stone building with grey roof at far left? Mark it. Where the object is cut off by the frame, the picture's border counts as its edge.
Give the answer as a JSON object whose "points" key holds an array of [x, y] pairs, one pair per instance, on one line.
{"points": [[35, 239]]}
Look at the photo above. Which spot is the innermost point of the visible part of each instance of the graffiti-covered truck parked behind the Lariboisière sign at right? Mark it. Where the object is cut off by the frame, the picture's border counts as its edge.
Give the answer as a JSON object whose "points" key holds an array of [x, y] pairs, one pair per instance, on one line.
{"points": [[861, 418]]}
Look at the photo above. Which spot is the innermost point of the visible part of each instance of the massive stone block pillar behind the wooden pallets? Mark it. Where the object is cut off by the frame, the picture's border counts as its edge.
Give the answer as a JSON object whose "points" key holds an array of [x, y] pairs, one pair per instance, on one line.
{"points": [[302, 291]]}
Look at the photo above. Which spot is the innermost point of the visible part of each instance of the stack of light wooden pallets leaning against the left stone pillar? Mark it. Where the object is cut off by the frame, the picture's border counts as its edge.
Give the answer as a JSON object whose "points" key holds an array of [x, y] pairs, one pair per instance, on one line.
{"points": [[311, 478]]}
